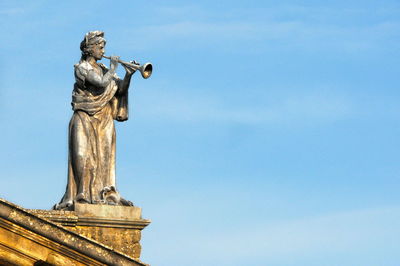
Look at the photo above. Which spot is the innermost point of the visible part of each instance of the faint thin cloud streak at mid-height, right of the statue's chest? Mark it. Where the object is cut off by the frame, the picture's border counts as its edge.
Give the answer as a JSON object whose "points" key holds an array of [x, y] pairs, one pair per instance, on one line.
{"points": [[294, 110]]}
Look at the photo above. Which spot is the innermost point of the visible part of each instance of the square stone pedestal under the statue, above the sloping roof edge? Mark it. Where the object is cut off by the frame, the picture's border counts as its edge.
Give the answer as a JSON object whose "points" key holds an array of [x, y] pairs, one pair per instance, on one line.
{"points": [[117, 227]]}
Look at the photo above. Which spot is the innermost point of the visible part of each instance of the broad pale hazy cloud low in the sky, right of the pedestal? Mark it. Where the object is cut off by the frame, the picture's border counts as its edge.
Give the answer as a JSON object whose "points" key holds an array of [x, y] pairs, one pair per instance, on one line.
{"points": [[306, 239]]}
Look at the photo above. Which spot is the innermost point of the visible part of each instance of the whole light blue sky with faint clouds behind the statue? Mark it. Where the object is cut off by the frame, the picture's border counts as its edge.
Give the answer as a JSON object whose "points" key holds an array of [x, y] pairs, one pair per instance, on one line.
{"points": [[267, 135]]}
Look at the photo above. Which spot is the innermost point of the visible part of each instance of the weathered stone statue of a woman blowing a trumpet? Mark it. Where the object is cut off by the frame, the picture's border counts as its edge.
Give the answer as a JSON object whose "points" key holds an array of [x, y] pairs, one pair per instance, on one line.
{"points": [[99, 97]]}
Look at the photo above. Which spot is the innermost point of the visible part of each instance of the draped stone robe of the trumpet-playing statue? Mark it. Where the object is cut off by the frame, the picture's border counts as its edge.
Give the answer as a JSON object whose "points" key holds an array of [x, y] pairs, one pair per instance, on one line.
{"points": [[91, 160]]}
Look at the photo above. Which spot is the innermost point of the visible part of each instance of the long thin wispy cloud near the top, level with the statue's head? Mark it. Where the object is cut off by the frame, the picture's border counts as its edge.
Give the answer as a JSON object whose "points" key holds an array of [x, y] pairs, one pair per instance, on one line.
{"points": [[291, 33]]}
